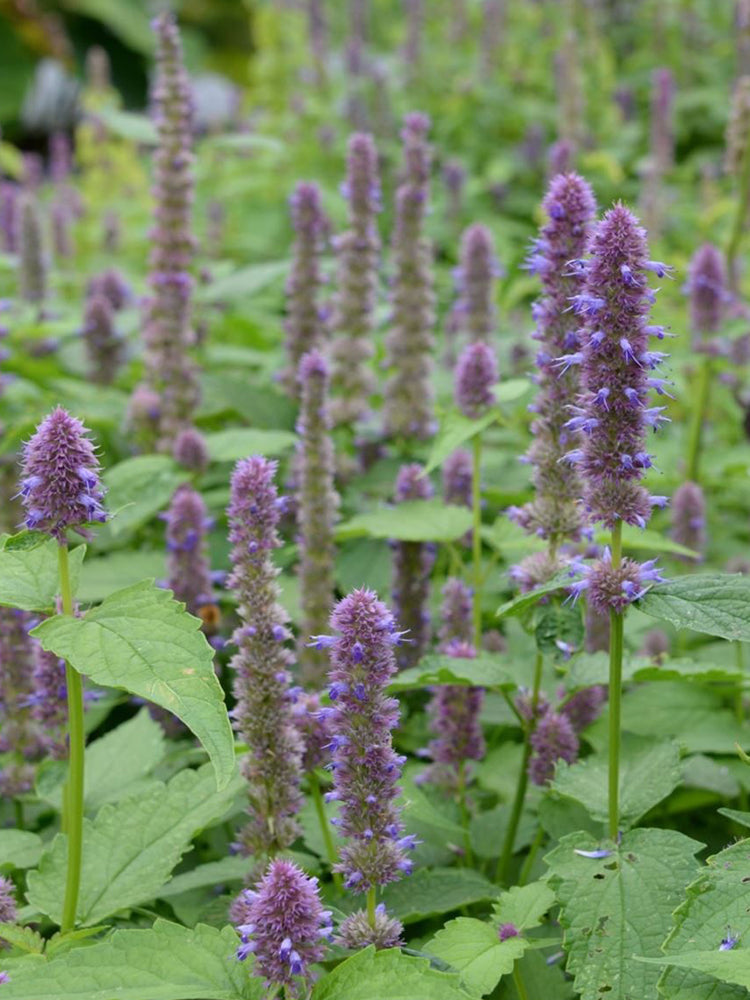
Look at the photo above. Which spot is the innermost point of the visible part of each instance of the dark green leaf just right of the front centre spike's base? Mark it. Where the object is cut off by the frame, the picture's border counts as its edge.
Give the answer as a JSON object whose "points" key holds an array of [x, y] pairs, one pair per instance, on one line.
{"points": [[439, 890]]}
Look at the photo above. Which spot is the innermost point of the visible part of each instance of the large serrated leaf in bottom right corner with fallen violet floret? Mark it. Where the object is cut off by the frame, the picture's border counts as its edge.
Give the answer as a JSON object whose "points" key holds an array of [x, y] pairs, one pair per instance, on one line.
{"points": [[715, 906]]}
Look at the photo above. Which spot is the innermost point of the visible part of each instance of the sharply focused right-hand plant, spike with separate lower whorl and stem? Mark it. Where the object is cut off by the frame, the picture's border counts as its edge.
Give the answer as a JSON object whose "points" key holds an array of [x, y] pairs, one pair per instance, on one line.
{"points": [[613, 417]]}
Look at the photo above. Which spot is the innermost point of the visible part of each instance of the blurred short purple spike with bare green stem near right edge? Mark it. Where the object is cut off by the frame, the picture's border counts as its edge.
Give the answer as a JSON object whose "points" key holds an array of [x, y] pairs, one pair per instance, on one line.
{"points": [[706, 286]]}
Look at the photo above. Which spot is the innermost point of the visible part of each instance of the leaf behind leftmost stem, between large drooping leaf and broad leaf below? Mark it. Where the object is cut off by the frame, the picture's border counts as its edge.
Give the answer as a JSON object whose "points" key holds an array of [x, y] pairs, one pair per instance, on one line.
{"points": [[117, 764]]}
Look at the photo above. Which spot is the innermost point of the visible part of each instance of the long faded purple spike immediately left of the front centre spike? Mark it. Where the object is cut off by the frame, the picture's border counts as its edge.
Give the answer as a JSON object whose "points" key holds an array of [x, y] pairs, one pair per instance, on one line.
{"points": [[263, 713]]}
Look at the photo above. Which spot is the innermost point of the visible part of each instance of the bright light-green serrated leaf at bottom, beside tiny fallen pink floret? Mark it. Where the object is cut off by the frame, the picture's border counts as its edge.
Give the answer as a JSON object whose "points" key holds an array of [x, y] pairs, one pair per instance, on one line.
{"points": [[474, 949]]}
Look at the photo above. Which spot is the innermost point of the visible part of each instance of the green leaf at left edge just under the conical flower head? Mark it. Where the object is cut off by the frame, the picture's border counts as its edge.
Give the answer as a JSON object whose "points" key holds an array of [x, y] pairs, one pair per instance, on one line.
{"points": [[29, 576]]}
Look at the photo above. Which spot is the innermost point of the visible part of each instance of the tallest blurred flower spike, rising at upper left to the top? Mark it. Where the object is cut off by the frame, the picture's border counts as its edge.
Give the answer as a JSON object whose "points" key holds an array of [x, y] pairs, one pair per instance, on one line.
{"points": [[169, 371]]}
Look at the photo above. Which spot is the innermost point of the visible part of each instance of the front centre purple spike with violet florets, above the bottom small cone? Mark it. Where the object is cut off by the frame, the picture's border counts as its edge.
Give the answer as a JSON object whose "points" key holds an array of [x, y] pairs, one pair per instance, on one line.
{"points": [[365, 767]]}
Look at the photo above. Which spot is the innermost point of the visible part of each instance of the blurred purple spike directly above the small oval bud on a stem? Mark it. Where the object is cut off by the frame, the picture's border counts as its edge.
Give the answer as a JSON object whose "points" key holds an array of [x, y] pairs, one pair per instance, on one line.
{"points": [[475, 310]]}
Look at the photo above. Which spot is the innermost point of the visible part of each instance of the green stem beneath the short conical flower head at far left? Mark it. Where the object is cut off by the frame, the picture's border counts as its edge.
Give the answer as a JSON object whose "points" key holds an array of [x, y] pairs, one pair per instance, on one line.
{"points": [[76, 738]]}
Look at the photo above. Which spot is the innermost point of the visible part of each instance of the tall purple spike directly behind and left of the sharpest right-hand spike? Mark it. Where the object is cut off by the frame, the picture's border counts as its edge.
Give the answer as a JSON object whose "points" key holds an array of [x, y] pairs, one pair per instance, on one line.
{"points": [[554, 513]]}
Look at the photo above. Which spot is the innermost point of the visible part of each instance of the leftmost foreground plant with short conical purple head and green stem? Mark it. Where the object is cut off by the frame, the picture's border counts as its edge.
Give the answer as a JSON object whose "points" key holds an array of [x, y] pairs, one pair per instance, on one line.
{"points": [[61, 491]]}
